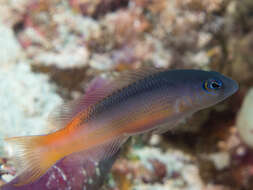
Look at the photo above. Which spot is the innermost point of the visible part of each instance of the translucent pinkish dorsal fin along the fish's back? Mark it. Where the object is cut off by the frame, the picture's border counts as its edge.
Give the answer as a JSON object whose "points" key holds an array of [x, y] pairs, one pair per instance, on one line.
{"points": [[98, 89]]}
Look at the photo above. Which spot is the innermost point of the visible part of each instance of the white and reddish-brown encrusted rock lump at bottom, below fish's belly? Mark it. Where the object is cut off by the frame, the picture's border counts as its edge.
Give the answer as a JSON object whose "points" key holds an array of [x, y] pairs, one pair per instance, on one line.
{"points": [[154, 169]]}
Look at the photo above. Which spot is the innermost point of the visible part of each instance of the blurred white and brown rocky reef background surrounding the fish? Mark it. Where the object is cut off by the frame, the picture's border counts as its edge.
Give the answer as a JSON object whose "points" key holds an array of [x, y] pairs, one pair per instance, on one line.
{"points": [[51, 49]]}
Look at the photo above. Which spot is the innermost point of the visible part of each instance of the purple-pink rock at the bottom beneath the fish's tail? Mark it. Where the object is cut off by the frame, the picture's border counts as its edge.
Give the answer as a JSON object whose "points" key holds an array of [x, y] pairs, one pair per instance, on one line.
{"points": [[74, 173]]}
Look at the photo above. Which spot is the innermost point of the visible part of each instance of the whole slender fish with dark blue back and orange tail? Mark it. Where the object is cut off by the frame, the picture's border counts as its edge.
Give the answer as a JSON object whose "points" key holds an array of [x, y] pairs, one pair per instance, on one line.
{"points": [[100, 122]]}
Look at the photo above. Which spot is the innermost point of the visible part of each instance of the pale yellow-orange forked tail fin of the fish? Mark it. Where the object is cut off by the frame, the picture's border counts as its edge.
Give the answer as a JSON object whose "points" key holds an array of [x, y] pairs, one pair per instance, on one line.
{"points": [[32, 157]]}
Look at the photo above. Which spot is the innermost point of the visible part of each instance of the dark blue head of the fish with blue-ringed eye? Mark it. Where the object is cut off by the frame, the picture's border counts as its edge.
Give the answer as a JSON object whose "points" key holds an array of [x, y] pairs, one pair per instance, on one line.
{"points": [[203, 88]]}
